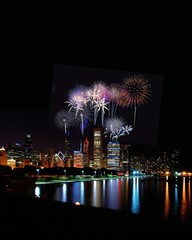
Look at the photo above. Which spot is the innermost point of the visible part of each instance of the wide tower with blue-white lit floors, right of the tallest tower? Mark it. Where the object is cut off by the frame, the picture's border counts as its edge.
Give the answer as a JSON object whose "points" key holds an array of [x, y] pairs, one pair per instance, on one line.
{"points": [[113, 155]]}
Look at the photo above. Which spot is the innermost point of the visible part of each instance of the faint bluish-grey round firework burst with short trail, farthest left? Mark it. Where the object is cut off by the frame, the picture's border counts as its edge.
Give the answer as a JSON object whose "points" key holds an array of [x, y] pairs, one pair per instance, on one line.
{"points": [[64, 119]]}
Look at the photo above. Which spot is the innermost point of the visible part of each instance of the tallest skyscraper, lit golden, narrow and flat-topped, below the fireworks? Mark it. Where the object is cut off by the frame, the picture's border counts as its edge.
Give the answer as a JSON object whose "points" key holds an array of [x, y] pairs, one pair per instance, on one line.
{"points": [[97, 148]]}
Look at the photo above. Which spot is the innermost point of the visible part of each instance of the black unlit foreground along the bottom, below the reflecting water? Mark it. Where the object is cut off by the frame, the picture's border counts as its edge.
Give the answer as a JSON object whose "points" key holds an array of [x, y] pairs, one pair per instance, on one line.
{"points": [[27, 217]]}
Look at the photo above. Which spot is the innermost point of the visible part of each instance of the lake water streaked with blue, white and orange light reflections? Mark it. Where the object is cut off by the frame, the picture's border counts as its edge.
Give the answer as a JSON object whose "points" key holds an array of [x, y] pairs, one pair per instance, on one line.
{"points": [[168, 198]]}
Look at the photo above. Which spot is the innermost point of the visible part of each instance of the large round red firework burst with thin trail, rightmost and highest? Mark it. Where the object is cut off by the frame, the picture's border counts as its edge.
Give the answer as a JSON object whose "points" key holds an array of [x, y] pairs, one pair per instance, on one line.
{"points": [[138, 92]]}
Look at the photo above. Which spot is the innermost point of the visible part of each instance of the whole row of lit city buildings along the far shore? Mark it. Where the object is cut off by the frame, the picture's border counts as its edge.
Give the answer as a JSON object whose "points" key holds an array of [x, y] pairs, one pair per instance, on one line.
{"points": [[115, 156]]}
